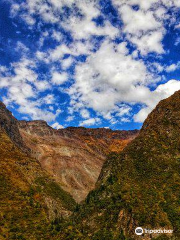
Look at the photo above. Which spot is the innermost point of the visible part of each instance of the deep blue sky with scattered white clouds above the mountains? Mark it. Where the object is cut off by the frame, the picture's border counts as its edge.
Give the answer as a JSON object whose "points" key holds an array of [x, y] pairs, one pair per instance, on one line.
{"points": [[88, 63]]}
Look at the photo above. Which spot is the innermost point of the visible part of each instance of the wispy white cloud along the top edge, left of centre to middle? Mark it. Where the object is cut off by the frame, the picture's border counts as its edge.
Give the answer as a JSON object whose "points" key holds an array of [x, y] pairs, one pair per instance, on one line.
{"points": [[80, 27]]}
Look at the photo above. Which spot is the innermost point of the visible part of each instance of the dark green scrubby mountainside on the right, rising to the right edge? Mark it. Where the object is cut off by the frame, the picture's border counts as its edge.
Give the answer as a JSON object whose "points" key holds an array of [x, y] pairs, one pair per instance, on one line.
{"points": [[140, 187]]}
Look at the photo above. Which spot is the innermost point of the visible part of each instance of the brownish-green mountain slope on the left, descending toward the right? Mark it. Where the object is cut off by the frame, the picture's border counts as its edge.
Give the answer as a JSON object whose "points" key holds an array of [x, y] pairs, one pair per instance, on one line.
{"points": [[29, 199]]}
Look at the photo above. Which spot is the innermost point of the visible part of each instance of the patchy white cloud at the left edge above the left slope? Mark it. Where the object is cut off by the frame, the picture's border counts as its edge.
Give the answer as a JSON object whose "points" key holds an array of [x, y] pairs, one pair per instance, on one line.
{"points": [[24, 88]]}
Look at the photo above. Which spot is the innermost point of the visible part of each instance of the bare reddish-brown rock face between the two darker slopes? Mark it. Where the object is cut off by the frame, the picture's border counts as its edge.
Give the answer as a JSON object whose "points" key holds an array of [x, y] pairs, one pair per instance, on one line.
{"points": [[73, 156]]}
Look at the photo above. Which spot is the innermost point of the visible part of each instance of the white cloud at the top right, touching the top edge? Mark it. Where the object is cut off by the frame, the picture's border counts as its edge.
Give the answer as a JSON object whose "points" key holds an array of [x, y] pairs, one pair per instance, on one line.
{"points": [[143, 27]]}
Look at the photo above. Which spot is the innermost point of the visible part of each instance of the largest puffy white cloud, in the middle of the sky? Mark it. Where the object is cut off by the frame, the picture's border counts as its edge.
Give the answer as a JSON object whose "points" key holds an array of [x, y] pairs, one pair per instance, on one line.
{"points": [[109, 76]]}
